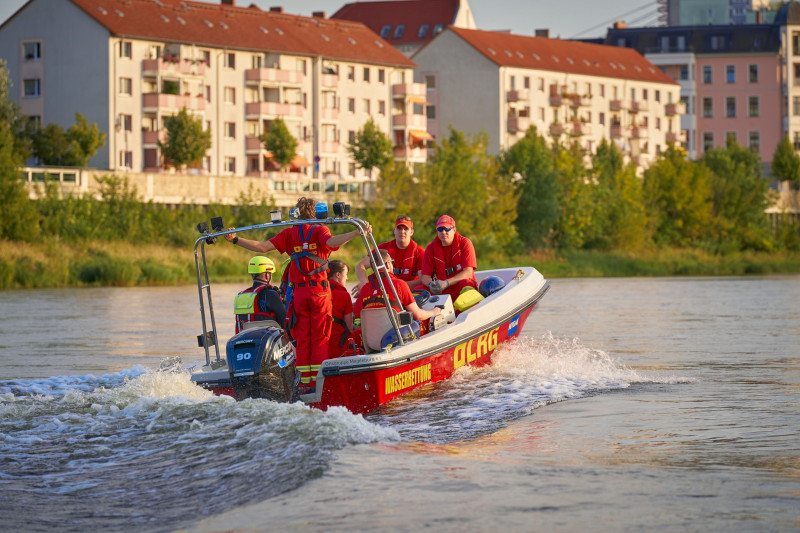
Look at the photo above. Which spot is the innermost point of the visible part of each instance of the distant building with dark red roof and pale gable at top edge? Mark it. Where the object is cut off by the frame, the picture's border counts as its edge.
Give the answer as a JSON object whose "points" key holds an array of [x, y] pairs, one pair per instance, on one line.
{"points": [[408, 25]]}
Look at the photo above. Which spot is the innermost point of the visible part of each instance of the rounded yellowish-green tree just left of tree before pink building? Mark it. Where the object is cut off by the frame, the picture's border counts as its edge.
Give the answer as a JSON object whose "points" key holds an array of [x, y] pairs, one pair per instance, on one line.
{"points": [[678, 194]]}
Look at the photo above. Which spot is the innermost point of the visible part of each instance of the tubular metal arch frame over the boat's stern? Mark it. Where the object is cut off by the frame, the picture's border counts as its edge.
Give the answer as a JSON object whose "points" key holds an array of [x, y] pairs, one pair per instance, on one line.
{"points": [[209, 336]]}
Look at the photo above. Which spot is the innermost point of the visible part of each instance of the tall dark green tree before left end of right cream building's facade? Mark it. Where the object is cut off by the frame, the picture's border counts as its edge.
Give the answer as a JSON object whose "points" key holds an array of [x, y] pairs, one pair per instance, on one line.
{"points": [[531, 161]]}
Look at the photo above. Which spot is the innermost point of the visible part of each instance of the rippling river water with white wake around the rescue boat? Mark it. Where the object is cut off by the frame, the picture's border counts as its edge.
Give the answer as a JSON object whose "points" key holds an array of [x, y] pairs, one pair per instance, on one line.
{"points": [[625, 405]]}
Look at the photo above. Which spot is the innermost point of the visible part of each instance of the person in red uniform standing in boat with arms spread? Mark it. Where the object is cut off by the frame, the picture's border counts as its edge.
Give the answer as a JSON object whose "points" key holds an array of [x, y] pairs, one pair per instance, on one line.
{"points": [[309, 246]]}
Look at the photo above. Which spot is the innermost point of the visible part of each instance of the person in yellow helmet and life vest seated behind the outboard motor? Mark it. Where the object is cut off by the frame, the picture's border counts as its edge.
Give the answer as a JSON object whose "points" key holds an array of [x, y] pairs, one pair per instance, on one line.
{"points": [[261, 301]]}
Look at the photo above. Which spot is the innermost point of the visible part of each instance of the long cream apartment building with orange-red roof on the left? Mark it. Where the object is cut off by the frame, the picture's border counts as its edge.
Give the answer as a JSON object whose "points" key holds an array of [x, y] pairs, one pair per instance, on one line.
{"points": [[128, 65]]}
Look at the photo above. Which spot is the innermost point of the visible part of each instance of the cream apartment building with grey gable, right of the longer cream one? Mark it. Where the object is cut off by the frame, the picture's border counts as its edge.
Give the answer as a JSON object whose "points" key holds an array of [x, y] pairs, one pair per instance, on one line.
{"points": [[503, 84]]}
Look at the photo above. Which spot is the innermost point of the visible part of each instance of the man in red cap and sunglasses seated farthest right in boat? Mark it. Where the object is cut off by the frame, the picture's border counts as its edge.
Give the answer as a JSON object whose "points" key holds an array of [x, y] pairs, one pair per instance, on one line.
{"points": [[449, 262]]}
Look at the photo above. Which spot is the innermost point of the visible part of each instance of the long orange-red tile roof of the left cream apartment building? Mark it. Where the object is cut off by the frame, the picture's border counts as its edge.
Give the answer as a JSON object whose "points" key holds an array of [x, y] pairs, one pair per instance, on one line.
{"points": [[244, 28]]}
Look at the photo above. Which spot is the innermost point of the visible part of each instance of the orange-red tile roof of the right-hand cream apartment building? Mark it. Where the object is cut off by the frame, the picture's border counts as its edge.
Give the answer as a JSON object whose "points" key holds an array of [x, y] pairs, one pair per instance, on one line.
{"points": [[509, 50]]}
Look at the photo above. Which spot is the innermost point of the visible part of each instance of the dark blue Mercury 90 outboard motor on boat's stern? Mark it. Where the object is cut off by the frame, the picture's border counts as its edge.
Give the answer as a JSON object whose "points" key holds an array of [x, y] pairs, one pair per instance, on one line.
{"points": [[261, 362]]}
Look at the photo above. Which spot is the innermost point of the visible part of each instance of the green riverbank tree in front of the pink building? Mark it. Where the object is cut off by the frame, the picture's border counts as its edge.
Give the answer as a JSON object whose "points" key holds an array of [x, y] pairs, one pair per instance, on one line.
{"points": [[739, 195]]}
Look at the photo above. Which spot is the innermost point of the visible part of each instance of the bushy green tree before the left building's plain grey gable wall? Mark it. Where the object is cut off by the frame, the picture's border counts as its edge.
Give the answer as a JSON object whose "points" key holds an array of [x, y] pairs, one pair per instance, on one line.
{"points": [[73, 147]]}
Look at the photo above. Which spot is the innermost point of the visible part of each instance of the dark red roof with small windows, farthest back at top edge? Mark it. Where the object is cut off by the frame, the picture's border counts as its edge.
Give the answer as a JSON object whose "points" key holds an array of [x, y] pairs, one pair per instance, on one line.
{"points": [[411, 14]]}
